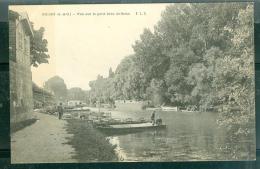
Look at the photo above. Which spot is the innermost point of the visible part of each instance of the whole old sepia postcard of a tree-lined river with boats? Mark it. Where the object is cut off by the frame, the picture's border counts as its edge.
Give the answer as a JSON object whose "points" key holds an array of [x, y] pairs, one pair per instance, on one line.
{"points": [[160, 82]]}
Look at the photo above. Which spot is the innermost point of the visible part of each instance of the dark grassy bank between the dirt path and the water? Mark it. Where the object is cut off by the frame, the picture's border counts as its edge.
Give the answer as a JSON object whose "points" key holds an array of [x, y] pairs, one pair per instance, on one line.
{"points": [[90, 145]]}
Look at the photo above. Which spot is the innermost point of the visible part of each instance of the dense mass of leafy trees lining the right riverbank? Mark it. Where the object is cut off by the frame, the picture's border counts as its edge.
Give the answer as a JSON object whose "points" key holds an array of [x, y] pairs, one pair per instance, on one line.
{"points": [[199, 56]]}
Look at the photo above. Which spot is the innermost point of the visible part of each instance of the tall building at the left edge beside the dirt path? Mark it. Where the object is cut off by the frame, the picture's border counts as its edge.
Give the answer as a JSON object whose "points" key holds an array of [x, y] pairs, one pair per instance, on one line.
{"points": [[21, 96]]}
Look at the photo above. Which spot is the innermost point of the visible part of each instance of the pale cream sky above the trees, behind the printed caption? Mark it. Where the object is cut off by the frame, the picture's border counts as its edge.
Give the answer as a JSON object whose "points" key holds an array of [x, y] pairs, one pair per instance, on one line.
{"points": [[83, 46]]}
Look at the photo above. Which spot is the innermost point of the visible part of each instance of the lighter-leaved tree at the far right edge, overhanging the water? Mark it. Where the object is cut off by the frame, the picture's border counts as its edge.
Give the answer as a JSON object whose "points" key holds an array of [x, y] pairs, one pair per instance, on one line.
{"points": [[235, 78]]}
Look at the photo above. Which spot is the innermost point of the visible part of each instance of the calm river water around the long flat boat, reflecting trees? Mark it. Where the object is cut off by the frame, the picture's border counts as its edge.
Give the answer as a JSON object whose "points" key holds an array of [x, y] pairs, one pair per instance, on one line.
{"points": [[189, 136]]}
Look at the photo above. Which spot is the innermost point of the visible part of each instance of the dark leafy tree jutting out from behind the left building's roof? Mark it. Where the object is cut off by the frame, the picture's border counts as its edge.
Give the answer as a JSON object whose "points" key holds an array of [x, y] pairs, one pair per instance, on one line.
{"points": [[39, 48]]}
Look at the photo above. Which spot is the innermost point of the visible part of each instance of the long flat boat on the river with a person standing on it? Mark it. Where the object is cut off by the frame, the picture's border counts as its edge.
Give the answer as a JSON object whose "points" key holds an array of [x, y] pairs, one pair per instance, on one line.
{"points": [[129, 128]]}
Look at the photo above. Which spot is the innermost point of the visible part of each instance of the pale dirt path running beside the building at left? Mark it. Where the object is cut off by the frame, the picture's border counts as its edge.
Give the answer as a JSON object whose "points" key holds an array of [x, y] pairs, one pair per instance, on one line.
{"points": [[42, 142]]}
